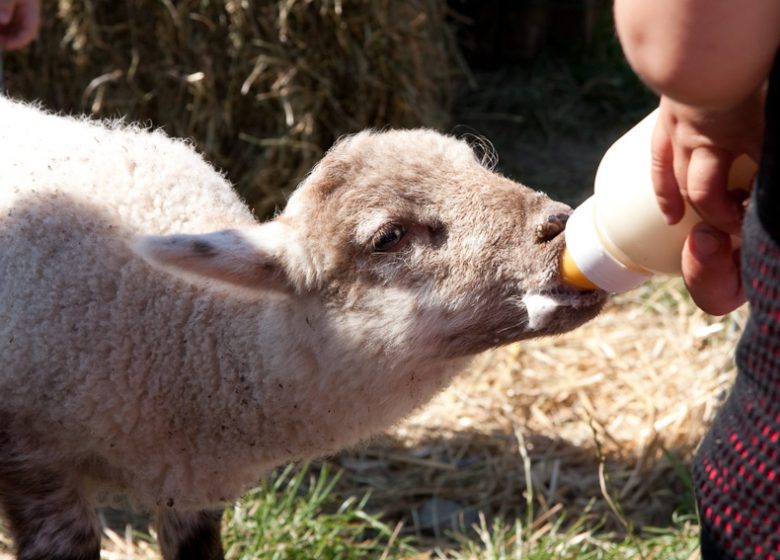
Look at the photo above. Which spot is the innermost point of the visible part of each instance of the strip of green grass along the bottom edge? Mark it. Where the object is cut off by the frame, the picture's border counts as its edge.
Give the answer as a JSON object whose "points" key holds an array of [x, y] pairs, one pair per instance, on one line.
{"points": [[295, 515]]}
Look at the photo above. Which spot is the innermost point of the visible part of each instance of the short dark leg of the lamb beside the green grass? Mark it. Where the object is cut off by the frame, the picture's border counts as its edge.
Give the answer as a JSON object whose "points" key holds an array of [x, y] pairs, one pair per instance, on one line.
{"points": [[190, 535]]}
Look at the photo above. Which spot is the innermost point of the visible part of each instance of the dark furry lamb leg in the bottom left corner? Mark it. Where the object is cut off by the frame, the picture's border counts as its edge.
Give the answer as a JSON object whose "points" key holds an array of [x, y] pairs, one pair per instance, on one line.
{"points": [[49, 516]]}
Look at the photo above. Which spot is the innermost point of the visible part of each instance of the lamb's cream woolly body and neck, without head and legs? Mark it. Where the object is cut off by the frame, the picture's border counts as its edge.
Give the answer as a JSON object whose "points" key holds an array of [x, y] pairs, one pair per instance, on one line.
{"points": [[177, 393]]}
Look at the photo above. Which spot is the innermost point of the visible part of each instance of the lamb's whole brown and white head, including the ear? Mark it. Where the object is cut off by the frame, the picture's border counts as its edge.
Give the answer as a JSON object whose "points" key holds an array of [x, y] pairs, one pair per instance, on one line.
{"points": [[406, 238]]}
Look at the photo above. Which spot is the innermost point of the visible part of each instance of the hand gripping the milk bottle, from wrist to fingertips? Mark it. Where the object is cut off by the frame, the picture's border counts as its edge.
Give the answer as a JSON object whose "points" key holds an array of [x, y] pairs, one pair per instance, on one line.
{"points": [[693, 151]]}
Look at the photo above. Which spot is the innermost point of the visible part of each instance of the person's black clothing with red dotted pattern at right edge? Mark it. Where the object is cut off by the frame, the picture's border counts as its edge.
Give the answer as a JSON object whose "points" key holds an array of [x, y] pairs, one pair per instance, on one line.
{"points": [[737, 468]]}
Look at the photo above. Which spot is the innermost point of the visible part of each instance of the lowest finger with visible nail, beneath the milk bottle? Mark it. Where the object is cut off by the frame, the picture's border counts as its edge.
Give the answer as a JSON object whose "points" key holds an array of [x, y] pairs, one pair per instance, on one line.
{"points": [[711, 270]]}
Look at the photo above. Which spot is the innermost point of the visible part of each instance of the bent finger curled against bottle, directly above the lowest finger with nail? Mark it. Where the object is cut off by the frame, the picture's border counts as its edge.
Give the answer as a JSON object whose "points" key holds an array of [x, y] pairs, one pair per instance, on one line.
{"points": [[707, 189]]}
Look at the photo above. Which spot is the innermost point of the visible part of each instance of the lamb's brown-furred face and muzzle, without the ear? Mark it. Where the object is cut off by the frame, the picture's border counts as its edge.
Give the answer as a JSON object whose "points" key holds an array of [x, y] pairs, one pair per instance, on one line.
{"points": [[471, 248]]}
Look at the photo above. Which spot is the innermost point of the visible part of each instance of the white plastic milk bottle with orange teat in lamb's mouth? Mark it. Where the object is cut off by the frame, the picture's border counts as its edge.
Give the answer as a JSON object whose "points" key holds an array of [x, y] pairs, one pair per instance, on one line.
{"points": [[618, 238]]}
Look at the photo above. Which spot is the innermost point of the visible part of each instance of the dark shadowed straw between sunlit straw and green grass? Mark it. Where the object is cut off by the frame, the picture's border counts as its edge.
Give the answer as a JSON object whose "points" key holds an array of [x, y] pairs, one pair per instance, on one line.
{"points": [[442, 483]]}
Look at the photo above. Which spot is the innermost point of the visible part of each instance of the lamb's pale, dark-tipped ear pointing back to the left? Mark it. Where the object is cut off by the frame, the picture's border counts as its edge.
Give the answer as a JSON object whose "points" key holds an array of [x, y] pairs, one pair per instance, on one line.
{"points": [[251, 258]]}
